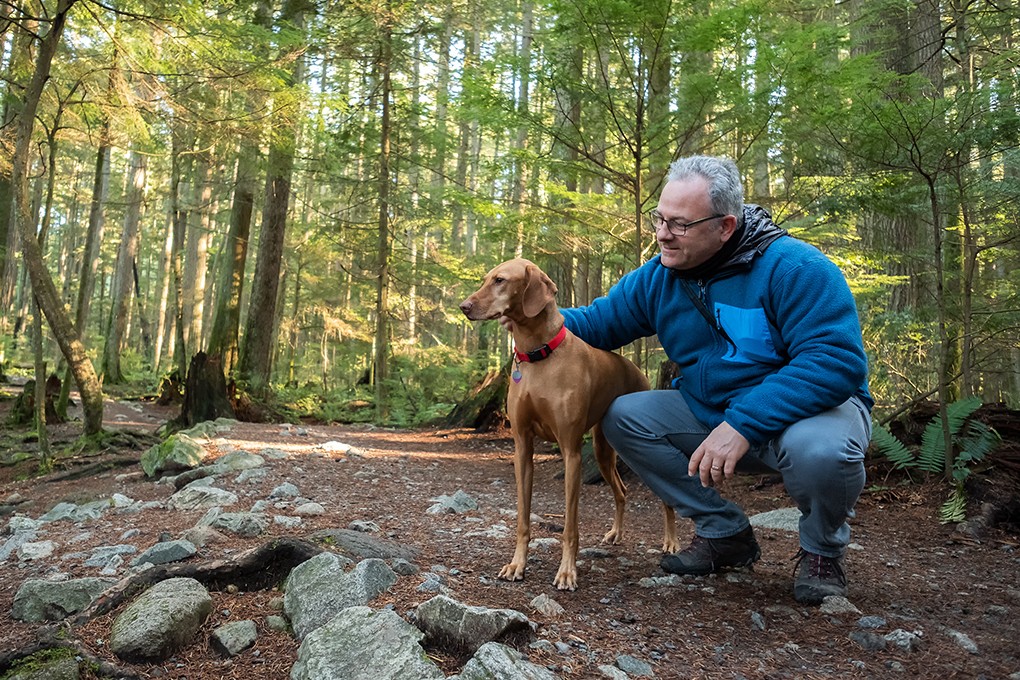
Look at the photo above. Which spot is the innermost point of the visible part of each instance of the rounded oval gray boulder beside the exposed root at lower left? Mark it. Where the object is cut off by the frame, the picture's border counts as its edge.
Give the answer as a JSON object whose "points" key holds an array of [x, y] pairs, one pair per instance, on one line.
{"points": [[163, 620]]}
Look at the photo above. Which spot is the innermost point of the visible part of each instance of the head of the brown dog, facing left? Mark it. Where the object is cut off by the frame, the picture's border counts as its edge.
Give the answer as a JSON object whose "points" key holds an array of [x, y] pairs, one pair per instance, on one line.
{"points": [[518, 289]]}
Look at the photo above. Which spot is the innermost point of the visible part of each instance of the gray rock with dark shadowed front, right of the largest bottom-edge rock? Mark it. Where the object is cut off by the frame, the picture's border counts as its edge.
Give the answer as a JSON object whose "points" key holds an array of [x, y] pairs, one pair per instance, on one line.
{"points": [[446, 619]]}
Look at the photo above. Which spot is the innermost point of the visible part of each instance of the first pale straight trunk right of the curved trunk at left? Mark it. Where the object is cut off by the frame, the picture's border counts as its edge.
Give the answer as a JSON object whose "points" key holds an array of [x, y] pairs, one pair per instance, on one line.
{"points": [[124, 278]]}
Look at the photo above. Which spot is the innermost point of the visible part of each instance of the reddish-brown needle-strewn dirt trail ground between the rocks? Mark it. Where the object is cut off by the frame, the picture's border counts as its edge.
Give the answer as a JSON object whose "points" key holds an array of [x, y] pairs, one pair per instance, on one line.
{"points": [[908, 570]]}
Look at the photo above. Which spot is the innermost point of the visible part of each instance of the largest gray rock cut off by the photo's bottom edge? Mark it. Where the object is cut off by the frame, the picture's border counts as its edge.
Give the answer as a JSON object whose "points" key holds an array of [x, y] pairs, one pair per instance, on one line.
{"points": [[361, 644]]}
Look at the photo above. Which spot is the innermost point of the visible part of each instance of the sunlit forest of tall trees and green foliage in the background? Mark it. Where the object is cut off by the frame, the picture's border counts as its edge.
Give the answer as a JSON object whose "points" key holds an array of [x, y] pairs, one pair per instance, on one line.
{"points": [[307, 190]]}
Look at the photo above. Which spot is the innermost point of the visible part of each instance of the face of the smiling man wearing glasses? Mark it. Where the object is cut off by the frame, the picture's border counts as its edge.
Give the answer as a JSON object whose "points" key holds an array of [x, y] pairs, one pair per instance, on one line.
{"points": [[688, 201]]}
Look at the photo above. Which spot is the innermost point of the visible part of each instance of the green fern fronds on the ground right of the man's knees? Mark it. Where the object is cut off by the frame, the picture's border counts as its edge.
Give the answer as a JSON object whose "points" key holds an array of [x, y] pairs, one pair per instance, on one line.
{"points": [[973, 442]]}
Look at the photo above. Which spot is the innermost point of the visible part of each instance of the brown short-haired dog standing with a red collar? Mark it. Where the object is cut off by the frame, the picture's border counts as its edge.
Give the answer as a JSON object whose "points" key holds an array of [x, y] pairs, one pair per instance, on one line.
{"points": [[562, 389]]}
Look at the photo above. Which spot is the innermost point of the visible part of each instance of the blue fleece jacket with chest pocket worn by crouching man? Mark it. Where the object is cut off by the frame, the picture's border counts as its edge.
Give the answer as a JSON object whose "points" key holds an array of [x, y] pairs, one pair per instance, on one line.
{"points": [[791, 346]]}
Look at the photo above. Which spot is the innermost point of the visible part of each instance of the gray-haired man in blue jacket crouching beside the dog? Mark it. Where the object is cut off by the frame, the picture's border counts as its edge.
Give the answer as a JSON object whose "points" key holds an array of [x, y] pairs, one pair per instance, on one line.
{"points": [[773, 372]]}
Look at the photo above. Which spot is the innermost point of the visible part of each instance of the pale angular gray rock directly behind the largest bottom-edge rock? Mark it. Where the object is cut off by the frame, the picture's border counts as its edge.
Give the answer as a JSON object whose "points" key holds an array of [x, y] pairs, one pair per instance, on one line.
{"points": [[320, 589]]}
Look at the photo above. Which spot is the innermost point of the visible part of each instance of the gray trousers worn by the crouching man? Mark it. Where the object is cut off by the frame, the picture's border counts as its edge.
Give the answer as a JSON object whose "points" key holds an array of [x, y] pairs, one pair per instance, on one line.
{"points": [[822, 460]]}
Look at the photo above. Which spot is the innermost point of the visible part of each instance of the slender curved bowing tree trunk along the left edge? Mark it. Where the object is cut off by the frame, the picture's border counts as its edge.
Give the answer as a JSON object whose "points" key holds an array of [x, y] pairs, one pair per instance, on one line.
{"points": [[46, 292]]}
